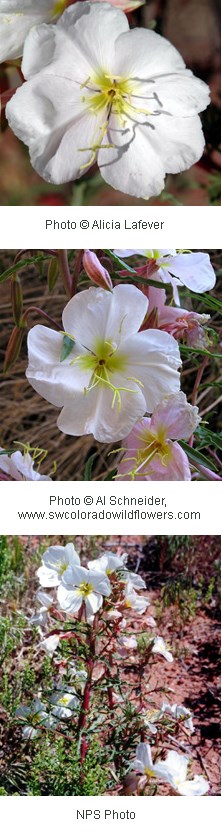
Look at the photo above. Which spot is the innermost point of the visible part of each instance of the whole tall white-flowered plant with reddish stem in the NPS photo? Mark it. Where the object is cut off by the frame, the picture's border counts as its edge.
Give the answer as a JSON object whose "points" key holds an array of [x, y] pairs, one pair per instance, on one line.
{"points": [[87, 633]]}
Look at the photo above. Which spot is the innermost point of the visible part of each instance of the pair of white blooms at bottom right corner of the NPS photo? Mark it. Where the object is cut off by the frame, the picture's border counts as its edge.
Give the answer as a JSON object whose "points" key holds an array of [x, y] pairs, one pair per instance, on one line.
{"points": [[172, 771]]}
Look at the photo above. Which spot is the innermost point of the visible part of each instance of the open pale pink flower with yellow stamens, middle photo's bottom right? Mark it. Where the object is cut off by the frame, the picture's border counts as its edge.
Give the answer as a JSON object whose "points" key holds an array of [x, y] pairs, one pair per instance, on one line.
{"points": [[151, 449]]}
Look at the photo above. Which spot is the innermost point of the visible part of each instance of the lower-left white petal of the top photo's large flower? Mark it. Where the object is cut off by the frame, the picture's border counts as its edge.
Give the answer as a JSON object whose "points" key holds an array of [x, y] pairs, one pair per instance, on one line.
{"points": [[58, 122]]}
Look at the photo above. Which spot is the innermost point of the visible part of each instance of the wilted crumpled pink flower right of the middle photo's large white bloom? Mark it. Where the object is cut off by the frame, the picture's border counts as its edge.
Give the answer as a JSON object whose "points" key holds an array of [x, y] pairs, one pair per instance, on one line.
{"points": [[182, 324]]}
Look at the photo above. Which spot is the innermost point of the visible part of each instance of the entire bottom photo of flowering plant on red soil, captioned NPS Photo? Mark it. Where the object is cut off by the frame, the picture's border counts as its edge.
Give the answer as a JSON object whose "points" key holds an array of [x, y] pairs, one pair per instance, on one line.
{"points": [[110, 665]]}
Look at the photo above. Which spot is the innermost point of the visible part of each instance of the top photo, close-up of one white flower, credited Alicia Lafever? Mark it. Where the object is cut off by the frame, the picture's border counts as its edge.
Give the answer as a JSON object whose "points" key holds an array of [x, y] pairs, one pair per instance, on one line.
{"points": [[110, 102]]}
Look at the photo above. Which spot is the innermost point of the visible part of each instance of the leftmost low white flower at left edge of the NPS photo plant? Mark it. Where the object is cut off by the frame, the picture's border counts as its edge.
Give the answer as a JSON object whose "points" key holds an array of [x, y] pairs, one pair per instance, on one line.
{"points": [[36, 714]]}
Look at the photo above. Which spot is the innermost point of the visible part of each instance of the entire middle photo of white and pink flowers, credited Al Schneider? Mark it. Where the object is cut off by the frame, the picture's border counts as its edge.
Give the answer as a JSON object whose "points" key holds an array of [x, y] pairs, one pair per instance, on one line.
{"points": [[111, 364]]}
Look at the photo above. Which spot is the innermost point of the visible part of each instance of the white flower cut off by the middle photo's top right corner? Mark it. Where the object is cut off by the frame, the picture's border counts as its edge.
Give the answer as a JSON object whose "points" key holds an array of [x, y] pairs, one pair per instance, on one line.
{"points": [[194, 270]]}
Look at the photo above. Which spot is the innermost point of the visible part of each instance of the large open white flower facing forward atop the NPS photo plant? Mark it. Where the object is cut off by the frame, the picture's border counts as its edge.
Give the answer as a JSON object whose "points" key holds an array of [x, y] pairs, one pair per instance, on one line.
{"points": [[79, 586]]}
